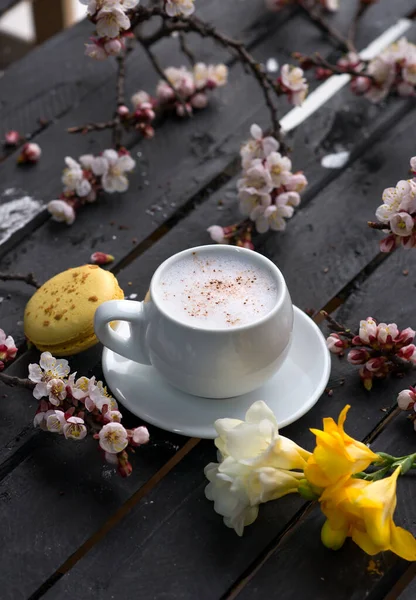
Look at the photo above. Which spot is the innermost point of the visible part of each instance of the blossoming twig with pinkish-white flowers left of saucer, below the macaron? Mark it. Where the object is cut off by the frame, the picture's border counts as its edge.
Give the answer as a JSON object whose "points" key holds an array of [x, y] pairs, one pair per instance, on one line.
{"points": [[73, 407]]}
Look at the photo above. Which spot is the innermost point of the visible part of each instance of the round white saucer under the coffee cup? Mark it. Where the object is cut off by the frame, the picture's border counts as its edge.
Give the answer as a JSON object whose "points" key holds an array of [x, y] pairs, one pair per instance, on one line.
{"points": [[290, 393]]}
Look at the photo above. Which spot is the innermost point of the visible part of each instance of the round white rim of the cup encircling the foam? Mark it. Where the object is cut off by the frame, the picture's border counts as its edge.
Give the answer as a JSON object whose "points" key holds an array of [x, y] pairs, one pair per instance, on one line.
{"points": [[212, 248]]}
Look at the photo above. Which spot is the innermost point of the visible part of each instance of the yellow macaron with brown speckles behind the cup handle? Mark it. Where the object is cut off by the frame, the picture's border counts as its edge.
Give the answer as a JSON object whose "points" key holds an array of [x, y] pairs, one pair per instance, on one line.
{"points": [[59, 318]]}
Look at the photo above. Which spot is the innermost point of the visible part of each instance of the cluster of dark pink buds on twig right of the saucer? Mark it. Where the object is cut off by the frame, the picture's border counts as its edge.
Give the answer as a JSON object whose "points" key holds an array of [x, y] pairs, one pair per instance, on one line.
{"points": [[379, 349]]}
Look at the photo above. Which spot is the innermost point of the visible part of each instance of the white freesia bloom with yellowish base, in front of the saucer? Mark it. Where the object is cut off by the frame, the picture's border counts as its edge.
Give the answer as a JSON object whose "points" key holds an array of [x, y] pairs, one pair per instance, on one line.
{"points": [[256, 466]]}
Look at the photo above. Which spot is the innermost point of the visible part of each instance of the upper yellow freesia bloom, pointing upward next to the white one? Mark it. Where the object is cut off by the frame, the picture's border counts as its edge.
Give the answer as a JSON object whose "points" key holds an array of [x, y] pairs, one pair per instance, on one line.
{"points": [[336, 454]]}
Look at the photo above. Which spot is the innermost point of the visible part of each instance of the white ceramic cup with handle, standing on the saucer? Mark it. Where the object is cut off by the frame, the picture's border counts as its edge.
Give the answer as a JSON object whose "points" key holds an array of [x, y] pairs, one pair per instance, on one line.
{"points": [[212, 363]]}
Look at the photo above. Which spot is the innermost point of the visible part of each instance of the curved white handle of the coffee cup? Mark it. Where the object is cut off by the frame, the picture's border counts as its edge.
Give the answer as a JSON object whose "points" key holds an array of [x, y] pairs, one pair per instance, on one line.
{"points": [[134, 347]]}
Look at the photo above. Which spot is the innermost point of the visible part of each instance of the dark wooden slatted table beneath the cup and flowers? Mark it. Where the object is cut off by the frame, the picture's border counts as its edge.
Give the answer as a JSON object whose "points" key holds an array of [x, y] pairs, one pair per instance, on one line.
{"points": [[70, 527]]}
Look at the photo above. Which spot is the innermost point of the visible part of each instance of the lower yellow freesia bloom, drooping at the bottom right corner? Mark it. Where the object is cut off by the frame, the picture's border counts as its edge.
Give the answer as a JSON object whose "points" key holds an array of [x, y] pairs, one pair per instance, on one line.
{"points": [[363, 510]]}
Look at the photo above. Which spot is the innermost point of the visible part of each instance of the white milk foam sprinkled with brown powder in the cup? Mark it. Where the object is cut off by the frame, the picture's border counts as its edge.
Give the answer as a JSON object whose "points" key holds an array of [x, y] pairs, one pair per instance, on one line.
{"points": [[217, 292]]}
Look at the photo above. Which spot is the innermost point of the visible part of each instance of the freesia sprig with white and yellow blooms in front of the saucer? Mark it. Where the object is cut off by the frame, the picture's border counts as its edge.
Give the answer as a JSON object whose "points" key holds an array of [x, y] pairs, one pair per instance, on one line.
{"points": [[257, 465]]}
